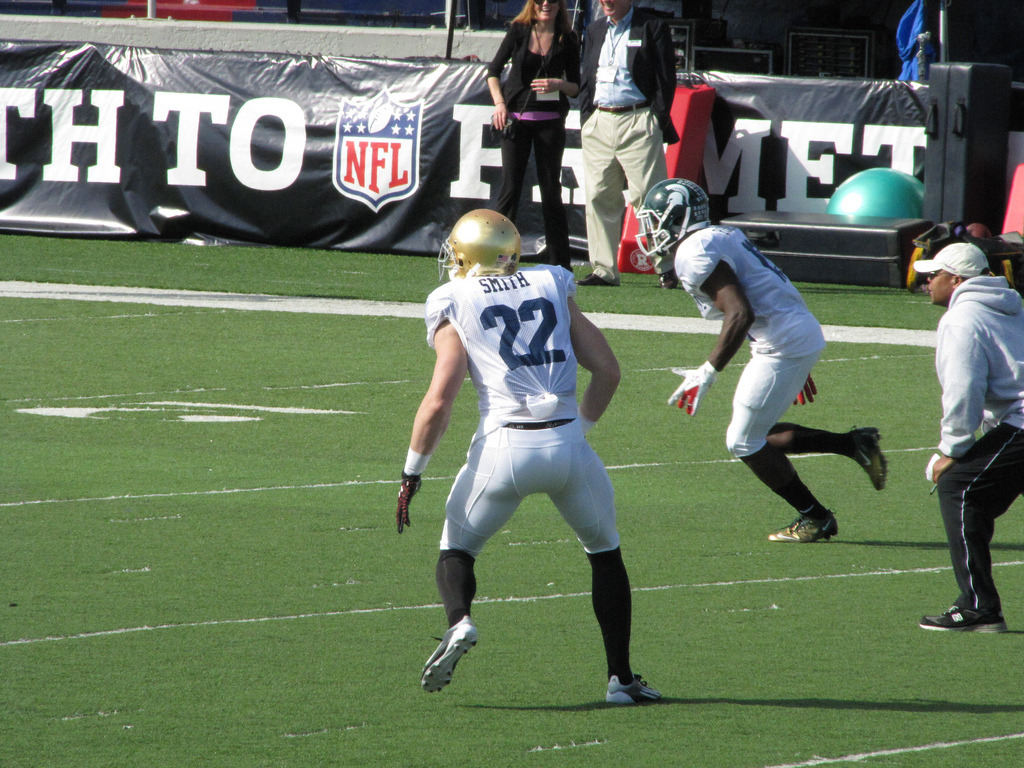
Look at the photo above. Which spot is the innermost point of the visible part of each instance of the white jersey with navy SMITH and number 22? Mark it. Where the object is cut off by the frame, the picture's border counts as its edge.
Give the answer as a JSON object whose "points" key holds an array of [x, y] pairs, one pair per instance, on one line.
{"points": [[517, 334]]}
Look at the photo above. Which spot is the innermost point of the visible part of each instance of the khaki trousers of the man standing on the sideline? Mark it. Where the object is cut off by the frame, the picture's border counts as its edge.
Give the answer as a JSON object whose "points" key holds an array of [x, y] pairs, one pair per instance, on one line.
{"points": [[618, 150]]}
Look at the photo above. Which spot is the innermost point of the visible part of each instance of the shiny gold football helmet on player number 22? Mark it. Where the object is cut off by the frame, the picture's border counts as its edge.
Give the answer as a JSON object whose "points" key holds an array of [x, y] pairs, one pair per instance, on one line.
{"points": [[483, 242]]}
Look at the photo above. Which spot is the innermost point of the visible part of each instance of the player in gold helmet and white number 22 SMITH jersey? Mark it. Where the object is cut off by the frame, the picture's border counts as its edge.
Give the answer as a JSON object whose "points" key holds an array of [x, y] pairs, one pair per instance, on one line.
{"points": [[520, 335]]}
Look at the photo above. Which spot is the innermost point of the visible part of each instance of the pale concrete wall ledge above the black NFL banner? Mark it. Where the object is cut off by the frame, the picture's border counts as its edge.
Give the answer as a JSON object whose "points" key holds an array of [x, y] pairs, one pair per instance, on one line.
{"points": [[356, 42]]}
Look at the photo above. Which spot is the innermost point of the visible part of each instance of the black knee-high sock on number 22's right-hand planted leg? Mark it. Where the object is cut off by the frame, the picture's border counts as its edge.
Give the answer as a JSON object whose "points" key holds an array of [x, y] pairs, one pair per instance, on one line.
{"points": [[614, 609]]}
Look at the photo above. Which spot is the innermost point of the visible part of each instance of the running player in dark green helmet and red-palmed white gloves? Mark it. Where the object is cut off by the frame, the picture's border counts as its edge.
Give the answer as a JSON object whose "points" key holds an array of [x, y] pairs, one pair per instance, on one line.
{"points": [[732, 281]]}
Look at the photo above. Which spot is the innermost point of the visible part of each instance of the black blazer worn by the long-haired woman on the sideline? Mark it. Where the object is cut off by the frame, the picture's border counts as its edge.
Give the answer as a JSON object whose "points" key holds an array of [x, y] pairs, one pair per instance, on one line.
{"points": [[563, 62]]}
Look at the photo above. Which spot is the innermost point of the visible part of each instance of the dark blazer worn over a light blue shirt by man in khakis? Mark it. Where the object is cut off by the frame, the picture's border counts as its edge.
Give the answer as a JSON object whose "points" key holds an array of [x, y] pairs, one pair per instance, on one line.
{"points": [[653, 65]]}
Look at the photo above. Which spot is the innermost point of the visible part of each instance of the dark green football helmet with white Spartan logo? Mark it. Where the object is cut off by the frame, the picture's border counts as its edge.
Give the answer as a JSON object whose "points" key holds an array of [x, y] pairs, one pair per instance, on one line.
{"points": [[672, 210]]}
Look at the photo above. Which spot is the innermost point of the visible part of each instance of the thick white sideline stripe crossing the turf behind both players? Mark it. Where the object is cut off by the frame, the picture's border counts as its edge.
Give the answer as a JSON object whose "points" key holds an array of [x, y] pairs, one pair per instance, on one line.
{"points": [[269, 304]]}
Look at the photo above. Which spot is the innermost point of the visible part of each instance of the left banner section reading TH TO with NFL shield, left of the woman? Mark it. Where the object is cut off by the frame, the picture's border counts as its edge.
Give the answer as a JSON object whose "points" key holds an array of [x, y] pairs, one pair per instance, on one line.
{"points": [[268, 149]]}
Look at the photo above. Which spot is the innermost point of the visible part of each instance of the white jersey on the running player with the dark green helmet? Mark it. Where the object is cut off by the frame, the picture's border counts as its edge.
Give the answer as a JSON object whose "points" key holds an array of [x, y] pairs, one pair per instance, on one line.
{"points": [[783, 324]]}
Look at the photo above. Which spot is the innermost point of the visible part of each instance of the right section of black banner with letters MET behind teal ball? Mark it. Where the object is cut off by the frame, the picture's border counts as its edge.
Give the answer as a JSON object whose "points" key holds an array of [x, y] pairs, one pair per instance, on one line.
{"points": [[783, 144]]}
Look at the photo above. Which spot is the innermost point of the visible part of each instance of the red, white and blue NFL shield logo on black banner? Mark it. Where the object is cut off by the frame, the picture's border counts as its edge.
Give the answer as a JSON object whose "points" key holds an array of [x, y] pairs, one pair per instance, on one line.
{"points": [[377, 152]]}
